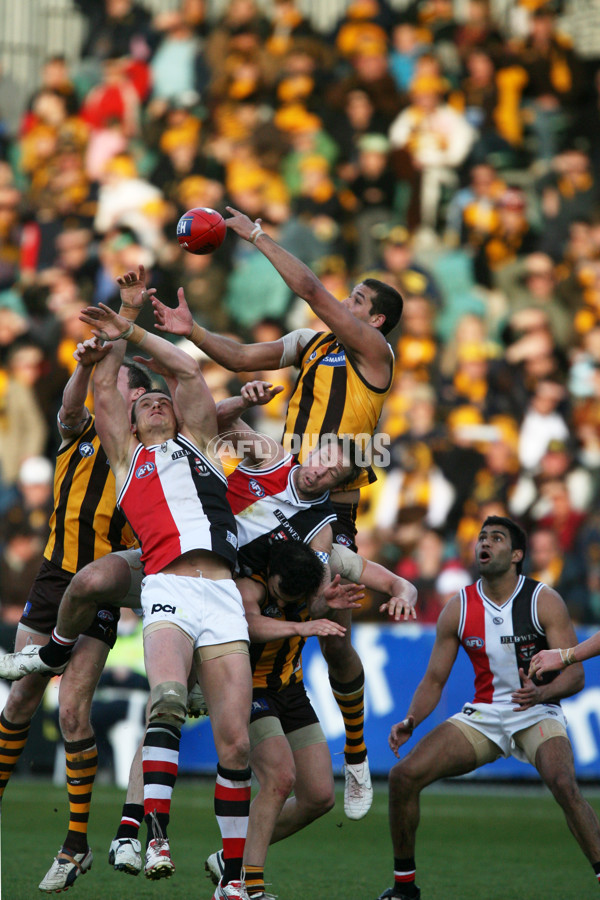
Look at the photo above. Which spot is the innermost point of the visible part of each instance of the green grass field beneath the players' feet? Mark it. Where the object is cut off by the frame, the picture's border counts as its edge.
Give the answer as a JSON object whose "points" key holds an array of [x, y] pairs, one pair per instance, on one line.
{"points": [[484, 845]]}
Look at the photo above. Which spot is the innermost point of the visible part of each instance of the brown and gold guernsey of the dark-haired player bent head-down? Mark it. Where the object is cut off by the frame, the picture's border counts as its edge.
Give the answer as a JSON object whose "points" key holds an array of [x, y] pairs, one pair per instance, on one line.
{"points": [[278, 664]]}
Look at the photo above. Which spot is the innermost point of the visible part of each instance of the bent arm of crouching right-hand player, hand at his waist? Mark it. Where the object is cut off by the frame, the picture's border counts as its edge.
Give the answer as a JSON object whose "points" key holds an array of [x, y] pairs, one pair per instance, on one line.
{"points": [[554, 618]]}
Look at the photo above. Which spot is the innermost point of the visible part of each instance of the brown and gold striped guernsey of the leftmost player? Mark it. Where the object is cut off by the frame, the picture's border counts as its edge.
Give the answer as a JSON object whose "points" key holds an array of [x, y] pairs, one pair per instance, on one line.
{"points": [[85, 523]]}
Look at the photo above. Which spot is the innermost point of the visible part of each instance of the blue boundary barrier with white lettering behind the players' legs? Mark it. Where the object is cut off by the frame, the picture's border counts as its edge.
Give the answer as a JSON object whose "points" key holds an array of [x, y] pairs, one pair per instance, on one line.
{"points": [[395, 658]]}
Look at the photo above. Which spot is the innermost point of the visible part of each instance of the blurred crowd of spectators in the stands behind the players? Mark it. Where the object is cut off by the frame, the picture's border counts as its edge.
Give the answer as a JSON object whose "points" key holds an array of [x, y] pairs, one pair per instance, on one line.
{"points": [[451, 149]]}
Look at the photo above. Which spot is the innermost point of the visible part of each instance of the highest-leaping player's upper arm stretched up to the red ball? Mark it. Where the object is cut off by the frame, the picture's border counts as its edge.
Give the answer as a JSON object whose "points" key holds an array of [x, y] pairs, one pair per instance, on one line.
{"points": [[367, 344]]}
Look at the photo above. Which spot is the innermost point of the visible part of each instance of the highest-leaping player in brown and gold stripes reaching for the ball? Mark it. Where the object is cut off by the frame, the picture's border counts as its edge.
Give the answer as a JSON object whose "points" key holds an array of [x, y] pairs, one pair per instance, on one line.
{"points": [[345, 376]]}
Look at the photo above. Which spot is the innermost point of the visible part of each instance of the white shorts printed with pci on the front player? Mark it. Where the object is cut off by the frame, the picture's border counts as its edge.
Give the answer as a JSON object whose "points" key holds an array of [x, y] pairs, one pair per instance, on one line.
{"points": [[210, 612]]}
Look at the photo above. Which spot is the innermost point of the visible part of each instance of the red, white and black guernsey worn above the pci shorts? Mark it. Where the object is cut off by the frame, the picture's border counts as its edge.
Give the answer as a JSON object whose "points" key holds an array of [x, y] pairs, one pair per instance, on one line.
{"points": [[175, 484]]}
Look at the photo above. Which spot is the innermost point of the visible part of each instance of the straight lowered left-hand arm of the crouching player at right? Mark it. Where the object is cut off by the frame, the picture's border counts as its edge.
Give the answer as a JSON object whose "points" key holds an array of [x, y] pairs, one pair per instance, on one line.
{"points": [[428, 692]]}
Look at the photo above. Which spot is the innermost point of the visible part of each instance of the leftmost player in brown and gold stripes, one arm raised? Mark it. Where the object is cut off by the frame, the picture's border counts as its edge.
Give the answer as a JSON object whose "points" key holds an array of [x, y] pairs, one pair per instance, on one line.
{"points": [[84, 526]]}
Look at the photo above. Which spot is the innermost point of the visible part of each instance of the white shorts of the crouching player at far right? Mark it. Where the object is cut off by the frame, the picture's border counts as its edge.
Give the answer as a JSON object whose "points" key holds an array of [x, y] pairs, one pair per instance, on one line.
{"points": [[499, 722]]}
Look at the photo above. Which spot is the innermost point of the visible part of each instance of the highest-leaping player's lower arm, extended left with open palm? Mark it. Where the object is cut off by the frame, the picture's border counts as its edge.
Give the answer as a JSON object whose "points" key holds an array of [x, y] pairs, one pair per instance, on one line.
{"points": [[227, 352]]}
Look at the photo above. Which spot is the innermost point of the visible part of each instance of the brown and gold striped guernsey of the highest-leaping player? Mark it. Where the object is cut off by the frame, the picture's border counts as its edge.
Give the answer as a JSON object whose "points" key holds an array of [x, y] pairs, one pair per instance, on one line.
{"points": [[332, 397]]}
